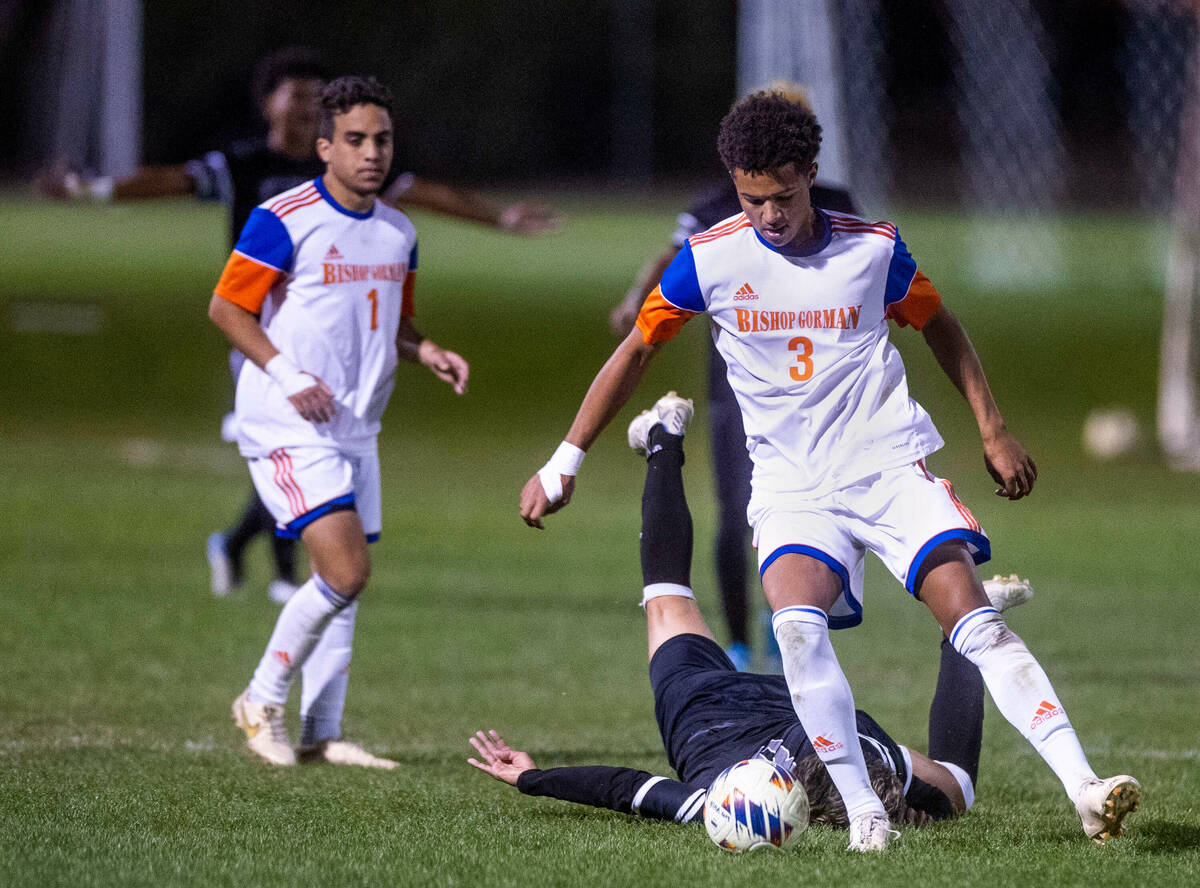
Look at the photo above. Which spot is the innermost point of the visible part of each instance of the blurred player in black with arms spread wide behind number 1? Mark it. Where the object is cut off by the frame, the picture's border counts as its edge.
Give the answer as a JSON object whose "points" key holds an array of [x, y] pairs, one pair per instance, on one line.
{"points": [[286, 86]]}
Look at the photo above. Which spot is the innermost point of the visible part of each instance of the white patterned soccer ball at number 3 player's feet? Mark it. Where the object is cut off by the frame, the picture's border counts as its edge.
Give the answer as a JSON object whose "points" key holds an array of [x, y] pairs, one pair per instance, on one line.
{"points": [[755, 805]]}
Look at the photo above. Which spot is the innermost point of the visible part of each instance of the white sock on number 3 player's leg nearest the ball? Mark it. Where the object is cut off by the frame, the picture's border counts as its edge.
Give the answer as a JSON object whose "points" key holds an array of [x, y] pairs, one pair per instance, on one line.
{"points": [[825, 705]]}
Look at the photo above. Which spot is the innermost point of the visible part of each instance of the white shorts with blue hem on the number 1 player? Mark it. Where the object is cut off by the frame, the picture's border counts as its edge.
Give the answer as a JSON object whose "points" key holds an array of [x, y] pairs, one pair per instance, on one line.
{"points": [[299, 485]]}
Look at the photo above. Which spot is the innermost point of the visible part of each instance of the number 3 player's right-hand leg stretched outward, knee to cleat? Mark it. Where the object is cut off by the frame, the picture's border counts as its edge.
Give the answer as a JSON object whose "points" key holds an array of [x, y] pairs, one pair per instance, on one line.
{"points": [[1021, 688]]}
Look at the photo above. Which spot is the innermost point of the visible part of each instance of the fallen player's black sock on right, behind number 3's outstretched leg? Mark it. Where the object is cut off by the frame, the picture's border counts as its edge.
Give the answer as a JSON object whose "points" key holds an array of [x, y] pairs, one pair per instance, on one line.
{"points": [[956, 717]]}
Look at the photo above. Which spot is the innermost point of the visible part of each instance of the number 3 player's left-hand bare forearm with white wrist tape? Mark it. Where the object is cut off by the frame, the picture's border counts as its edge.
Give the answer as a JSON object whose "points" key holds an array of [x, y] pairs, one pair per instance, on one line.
{"points": [[551, 488]]}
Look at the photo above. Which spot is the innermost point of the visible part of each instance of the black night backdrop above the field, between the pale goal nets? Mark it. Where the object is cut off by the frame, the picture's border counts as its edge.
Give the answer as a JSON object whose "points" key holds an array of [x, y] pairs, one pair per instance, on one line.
{"points": [[545, 92]]}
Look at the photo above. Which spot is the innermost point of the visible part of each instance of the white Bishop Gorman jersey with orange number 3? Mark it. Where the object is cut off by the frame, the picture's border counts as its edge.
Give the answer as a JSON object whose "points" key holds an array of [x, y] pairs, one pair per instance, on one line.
{"points": [[823, 392]]}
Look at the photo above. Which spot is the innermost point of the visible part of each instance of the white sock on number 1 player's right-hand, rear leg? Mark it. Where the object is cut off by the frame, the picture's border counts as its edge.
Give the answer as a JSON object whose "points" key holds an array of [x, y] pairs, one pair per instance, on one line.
{"points": [[325, 681]]}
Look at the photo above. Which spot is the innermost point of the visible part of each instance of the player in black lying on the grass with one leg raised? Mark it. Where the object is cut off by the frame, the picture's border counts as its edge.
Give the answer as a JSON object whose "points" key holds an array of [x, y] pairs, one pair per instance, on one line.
{"points": [[712, 716]]}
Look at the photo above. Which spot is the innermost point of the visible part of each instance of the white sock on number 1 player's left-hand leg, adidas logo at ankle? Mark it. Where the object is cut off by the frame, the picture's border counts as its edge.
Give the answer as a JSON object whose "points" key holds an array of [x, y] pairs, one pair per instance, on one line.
{"points": [[297, 633]]}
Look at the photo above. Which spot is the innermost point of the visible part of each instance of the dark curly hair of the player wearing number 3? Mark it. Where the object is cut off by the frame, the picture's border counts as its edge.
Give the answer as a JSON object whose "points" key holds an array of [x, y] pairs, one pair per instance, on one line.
{"points": [[767, 131]]}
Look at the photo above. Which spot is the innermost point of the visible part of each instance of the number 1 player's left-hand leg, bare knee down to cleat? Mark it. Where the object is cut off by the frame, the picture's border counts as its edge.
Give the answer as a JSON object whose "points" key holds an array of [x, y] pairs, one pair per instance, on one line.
{"points": [[341, 568]]}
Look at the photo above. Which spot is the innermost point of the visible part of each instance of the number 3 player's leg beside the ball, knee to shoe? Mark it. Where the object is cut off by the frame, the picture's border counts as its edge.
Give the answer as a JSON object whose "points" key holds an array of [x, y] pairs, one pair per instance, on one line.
{"points": [[801, 591]]}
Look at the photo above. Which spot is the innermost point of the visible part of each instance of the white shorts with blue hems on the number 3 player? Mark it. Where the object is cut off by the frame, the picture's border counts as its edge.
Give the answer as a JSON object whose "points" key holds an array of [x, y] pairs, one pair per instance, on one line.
{"points": [[902, 515]]}
